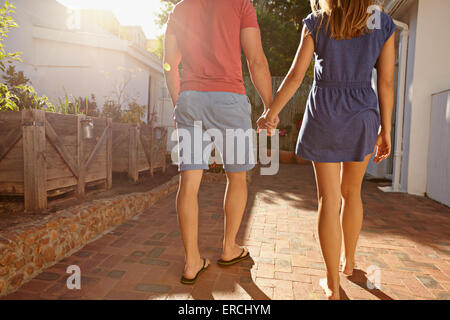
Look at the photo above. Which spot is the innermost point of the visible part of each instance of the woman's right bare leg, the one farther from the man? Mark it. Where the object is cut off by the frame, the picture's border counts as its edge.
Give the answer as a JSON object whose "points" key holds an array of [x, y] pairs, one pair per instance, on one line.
{"points": [[352, 209]]}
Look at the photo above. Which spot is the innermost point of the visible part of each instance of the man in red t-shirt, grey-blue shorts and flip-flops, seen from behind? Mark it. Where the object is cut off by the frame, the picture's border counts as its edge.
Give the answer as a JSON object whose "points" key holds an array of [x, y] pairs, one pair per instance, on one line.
{"points": [[206, 37]]}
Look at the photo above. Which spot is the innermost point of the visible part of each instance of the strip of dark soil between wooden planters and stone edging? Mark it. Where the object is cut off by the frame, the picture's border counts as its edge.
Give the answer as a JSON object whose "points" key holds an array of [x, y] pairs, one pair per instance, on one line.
{"points": [[12, 210]]}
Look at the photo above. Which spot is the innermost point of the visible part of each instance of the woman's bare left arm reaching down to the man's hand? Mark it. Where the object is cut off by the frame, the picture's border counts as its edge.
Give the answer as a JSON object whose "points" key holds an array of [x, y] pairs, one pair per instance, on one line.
{"points": [[294, 77]]}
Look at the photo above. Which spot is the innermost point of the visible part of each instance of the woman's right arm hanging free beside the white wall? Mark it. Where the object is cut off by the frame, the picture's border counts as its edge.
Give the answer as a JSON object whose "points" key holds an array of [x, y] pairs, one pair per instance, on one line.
{"points": [[385, 71]]}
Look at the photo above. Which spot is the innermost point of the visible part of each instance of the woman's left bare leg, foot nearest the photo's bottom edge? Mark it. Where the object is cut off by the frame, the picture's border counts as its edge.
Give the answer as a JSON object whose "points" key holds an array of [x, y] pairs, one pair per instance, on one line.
{"points": [[330, 233]]}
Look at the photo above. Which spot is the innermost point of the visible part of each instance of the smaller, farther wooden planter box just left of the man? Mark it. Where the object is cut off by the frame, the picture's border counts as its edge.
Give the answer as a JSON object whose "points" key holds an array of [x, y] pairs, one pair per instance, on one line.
{"points": [[138, 148]]}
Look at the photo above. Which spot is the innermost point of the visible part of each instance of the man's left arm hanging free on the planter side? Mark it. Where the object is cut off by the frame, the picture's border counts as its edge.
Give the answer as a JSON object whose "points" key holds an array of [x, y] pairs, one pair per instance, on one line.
{"points": [[172, 59]]}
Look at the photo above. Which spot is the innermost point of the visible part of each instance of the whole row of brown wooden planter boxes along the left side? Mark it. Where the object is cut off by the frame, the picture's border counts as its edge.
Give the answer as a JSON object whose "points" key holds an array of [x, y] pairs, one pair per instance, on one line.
{"points": [[45, 154]]}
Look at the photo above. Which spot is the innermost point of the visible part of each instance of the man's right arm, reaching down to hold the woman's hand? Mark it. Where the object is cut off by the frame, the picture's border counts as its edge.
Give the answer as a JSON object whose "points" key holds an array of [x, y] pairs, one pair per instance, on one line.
{"points": [[257, 64]]}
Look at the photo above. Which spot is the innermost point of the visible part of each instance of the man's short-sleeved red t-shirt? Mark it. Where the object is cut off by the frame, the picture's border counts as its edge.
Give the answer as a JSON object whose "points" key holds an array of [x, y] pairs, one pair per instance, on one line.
{"points": [[208, 37]]}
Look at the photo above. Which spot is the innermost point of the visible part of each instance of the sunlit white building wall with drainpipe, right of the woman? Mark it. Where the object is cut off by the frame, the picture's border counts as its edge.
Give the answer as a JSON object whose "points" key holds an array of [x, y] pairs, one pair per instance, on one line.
{"points": [[428, 72]]}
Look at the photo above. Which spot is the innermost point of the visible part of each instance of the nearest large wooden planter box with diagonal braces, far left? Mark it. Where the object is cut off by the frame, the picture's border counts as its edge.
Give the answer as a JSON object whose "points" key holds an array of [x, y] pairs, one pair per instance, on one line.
{"points": [[45, 154]]}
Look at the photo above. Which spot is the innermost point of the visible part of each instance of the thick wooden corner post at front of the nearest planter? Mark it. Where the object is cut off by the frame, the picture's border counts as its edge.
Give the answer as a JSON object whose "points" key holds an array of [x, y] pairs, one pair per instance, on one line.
{"points": [[35, 171]]}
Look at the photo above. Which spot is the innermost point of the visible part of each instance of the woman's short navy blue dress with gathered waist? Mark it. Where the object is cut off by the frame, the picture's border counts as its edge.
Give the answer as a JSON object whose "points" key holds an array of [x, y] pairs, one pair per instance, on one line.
{"points": [[342, 120]]}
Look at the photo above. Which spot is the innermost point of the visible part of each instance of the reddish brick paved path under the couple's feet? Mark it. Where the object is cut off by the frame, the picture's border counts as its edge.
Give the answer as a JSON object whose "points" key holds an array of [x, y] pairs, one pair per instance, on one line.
{"points": [[407, 237]]}
